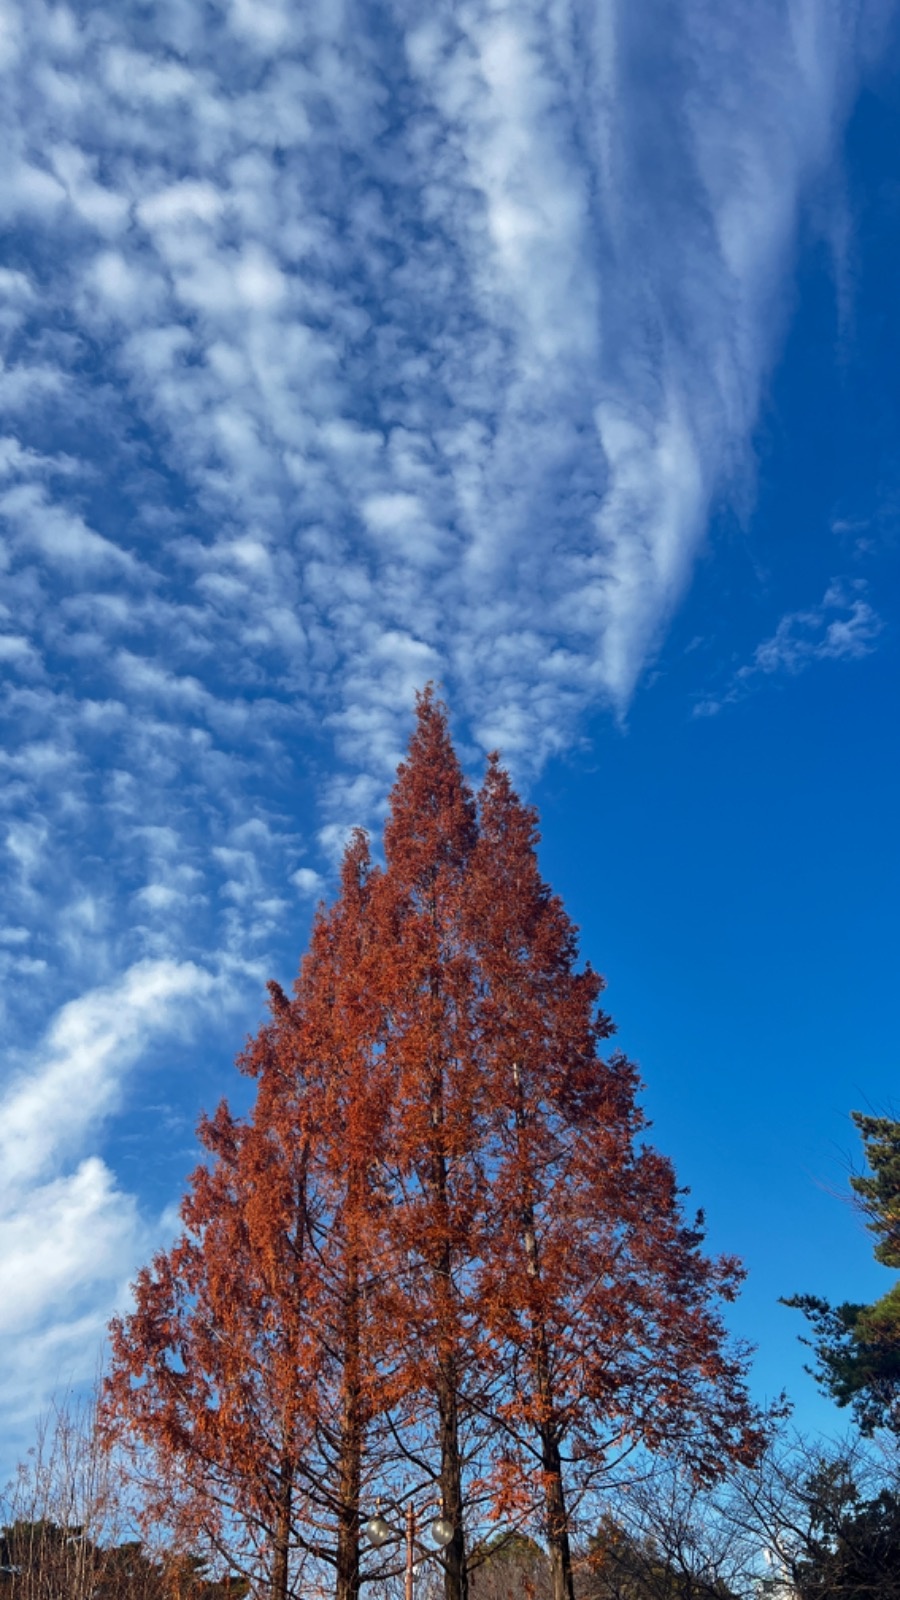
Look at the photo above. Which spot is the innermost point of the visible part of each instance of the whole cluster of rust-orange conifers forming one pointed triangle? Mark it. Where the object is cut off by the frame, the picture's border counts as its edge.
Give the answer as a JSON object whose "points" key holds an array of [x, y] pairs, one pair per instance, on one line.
{"points": [[435, 1260]]}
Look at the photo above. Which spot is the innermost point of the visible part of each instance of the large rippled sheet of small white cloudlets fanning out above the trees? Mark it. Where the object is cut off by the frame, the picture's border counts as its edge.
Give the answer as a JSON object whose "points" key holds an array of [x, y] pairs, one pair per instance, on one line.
{"points": [[344, 348]]}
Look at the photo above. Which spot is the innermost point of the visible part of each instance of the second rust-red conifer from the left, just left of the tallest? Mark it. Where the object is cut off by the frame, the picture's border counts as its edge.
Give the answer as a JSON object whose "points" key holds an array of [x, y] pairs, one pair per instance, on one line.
{"points": [[337, 1023]]}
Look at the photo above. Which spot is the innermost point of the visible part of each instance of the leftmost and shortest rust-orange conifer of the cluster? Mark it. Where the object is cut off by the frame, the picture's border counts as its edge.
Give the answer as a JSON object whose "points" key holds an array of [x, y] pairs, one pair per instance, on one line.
{"points": [[215, 1374]]}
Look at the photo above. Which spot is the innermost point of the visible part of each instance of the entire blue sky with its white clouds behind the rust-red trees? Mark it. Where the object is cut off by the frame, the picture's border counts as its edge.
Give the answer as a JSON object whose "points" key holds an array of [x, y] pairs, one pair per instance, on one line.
{"points": [[542, 350]]}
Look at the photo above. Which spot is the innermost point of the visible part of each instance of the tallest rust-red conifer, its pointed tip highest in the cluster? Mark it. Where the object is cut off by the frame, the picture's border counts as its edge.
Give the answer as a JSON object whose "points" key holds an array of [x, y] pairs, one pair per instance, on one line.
{"points": [[435, 1143]]}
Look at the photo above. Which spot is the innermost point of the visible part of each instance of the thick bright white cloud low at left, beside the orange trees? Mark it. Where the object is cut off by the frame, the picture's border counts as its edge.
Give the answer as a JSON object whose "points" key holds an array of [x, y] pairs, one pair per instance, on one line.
{"points": [[70, 1234]]}
